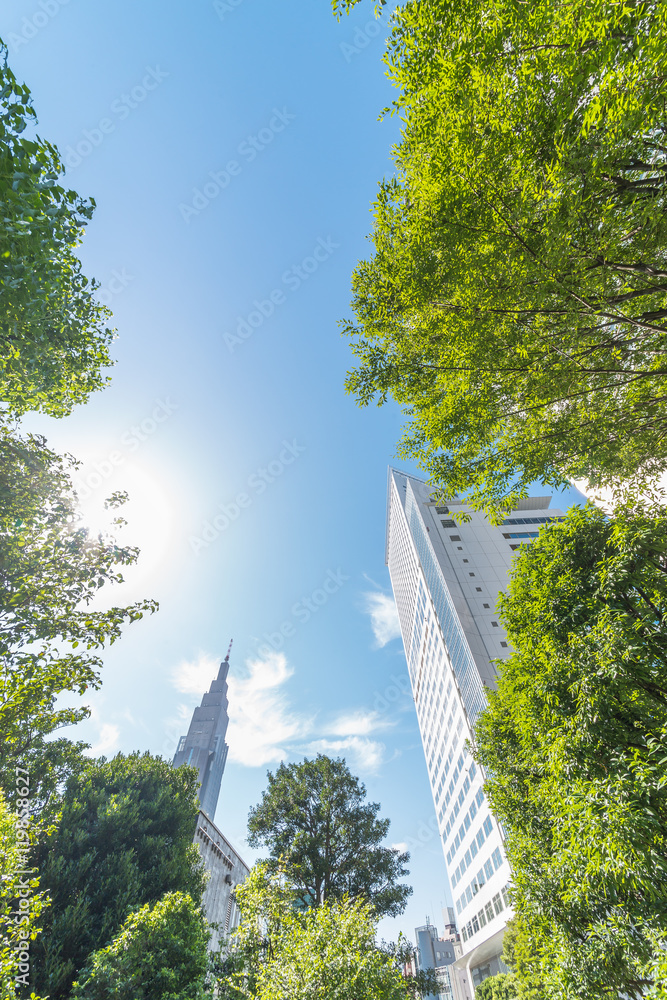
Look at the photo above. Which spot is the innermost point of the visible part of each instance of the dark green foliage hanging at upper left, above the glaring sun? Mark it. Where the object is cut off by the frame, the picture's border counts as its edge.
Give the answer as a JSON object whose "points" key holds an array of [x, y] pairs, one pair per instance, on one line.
{"points": [[53, 335]]}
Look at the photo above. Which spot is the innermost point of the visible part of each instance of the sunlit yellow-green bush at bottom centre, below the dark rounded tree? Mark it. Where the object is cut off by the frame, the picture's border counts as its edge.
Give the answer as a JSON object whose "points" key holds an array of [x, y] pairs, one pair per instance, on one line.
{"points": [[283, 950]]}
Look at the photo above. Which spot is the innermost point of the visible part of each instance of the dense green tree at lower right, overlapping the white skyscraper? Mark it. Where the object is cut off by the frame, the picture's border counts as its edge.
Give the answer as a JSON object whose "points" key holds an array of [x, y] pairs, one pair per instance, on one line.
{"points": [[574, 742]]}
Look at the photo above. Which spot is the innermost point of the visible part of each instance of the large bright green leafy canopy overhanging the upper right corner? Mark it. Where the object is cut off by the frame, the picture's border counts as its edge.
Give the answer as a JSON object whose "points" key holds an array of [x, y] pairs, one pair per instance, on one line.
{"points": [[515, 303]]}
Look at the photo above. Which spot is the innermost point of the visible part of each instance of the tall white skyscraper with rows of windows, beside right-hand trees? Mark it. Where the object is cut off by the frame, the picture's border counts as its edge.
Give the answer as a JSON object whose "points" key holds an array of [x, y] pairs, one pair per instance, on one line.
{"points": [[446, 577]]}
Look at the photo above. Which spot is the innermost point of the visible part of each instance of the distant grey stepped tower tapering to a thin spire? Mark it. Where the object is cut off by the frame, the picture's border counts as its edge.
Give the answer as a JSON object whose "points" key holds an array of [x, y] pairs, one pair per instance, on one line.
{"points": [[204, 746]]}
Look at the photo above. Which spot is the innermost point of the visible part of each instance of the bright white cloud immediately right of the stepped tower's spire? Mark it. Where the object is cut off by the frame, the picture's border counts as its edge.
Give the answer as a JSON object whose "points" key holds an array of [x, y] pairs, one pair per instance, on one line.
{"points": [[262, 728]]}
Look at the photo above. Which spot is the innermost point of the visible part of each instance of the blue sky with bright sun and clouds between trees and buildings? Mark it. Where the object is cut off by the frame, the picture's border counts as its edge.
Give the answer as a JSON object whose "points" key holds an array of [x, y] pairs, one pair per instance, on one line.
{"points": [[233, 149]]}
